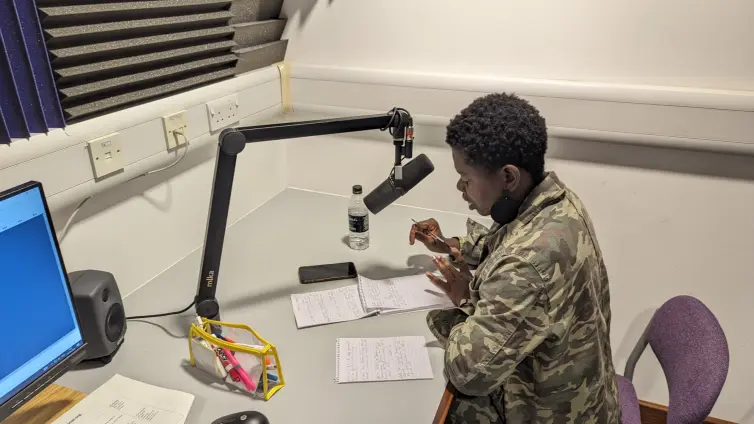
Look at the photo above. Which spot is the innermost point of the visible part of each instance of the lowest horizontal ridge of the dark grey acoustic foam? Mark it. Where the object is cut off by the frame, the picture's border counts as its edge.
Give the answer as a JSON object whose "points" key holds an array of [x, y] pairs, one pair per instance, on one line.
{"points": [[141, 96]]}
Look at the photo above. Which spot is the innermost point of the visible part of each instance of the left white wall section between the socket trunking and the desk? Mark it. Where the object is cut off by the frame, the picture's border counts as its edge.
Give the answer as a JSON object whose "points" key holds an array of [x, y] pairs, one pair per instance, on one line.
{"points": [[139, 229]]}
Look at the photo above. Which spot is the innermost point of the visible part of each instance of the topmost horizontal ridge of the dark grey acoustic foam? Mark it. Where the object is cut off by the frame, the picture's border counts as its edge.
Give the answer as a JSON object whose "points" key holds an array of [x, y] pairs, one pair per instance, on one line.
{"points": [[70, 15]]}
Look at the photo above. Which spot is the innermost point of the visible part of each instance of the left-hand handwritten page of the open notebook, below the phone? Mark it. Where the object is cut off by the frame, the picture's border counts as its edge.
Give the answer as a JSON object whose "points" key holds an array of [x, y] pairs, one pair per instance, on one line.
{"points": [[328, 306]]}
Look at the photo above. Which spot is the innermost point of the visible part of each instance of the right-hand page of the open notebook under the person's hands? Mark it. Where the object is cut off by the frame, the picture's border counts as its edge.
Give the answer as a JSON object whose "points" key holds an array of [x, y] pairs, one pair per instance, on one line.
{"points": [[401, 294]]}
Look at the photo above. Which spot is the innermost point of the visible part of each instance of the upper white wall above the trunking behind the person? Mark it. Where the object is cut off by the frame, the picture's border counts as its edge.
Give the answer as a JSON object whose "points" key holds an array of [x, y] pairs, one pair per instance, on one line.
{"points": [[694, 43]]}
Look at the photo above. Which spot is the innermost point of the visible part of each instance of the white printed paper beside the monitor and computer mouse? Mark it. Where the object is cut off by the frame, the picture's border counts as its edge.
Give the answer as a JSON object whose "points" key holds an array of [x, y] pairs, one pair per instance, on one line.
{"points": [[125, 401]]}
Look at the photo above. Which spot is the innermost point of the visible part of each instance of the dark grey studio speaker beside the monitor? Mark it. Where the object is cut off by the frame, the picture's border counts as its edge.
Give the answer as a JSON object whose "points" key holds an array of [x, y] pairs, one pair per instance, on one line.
{"points": [[100, 309]]}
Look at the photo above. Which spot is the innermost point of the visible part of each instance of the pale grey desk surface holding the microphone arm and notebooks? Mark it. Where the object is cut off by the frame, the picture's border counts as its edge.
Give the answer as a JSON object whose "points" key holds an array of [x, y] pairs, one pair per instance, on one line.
{"points": [[258, 273]]}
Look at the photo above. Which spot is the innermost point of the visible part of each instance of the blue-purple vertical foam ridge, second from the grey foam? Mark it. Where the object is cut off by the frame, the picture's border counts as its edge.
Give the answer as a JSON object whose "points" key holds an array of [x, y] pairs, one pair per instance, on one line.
{"points": [[18, 59]]}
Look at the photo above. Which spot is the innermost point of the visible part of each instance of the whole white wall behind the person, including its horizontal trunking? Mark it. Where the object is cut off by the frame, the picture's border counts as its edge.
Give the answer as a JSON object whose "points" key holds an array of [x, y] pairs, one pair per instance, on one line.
{"points": [[621, 84]]}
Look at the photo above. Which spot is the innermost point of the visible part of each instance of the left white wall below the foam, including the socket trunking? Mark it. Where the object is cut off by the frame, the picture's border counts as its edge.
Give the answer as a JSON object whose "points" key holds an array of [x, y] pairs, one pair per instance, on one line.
{"points": [[138, 229]]}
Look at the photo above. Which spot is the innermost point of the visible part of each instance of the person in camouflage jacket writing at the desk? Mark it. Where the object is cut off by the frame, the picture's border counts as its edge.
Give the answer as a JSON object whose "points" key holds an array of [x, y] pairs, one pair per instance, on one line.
{"points": [[529, 338]]}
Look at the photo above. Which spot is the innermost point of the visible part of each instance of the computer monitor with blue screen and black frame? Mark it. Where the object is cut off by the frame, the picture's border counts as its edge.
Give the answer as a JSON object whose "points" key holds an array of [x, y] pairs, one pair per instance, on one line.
{"points": [[40, 335]]}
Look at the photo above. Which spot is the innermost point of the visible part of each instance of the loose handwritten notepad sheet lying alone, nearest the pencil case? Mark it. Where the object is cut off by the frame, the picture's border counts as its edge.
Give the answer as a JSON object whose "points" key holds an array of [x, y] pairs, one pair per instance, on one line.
{"points": [[382, 359]]}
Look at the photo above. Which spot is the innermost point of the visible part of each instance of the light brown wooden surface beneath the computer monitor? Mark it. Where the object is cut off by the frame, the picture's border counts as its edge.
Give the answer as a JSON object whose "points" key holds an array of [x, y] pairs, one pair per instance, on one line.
{"points": [[47, 406]]}
